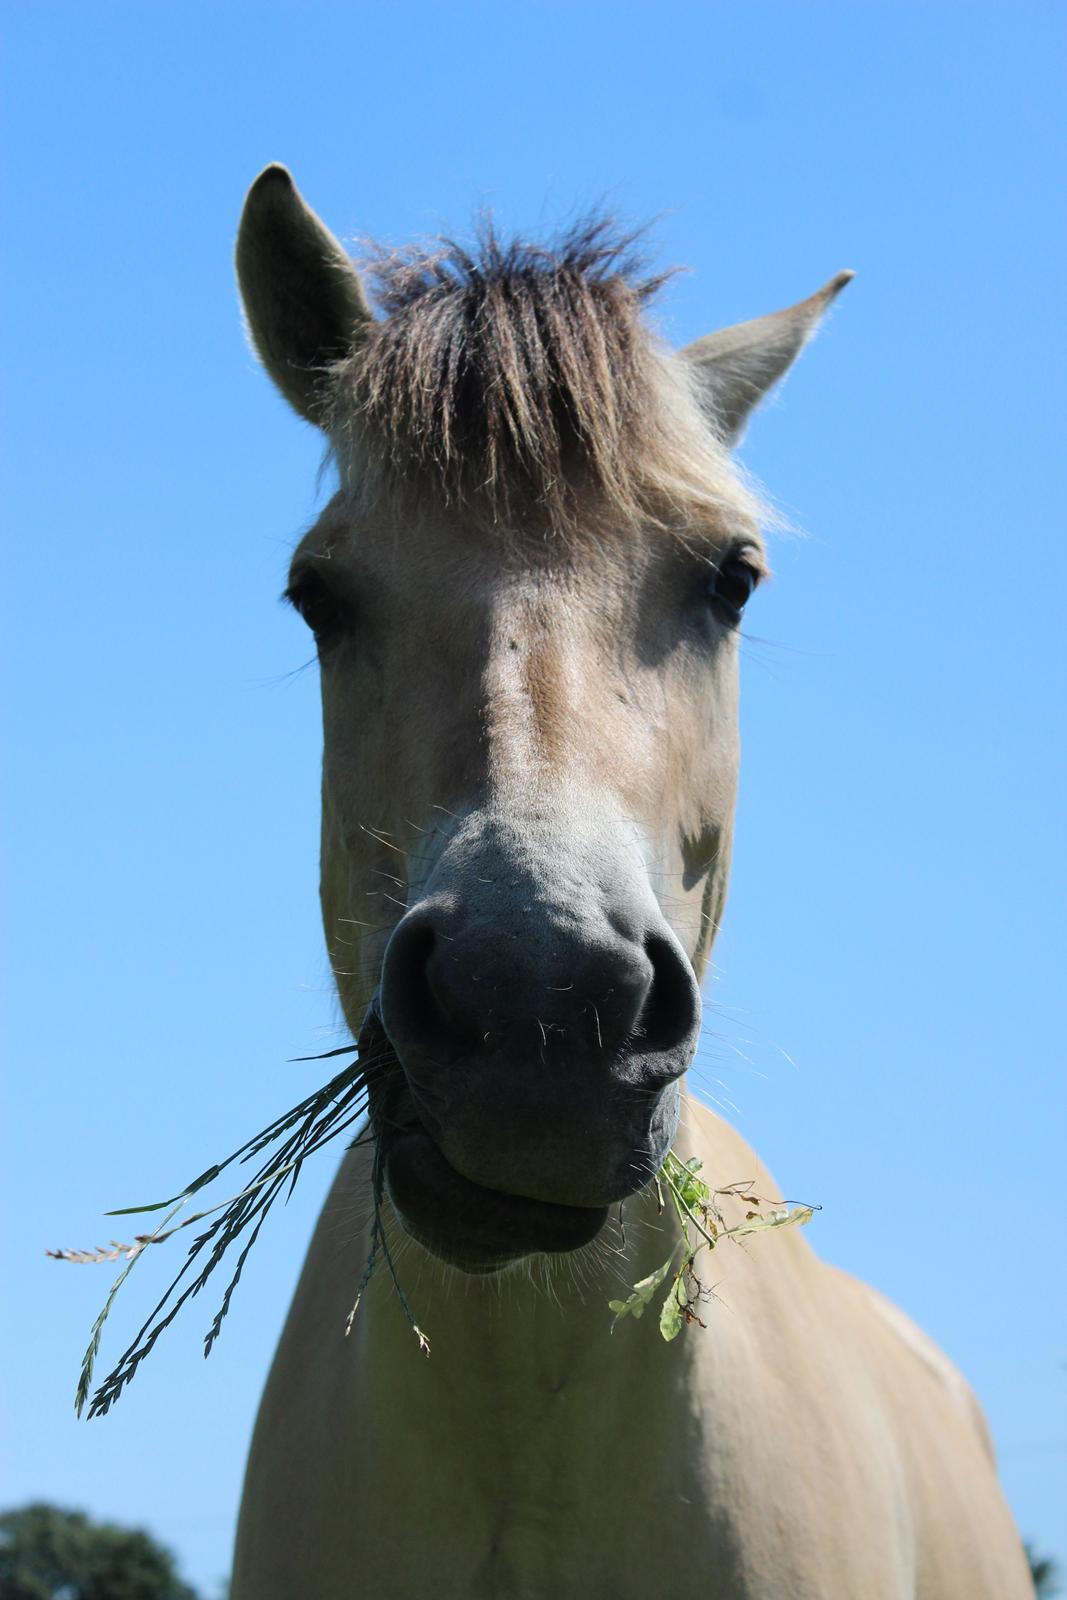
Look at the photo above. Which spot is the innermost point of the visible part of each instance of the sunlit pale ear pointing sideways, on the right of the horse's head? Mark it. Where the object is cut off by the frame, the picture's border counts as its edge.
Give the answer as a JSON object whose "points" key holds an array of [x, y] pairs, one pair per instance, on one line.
{"points": [[737, 367]]}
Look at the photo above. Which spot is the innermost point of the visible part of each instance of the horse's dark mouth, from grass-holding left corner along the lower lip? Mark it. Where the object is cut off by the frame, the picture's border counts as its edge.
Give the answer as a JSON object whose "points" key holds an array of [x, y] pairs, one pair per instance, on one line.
{"points": [[463, 1223]]}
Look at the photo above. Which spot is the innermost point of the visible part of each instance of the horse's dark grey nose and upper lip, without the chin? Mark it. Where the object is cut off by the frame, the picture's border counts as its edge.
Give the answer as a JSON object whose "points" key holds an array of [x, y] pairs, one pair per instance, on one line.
{"points": [[543, 1010]]}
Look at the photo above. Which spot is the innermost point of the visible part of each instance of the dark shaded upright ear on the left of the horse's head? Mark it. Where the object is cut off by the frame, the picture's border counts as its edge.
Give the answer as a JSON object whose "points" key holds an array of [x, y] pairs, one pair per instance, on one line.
{"points": [[303, 297]]}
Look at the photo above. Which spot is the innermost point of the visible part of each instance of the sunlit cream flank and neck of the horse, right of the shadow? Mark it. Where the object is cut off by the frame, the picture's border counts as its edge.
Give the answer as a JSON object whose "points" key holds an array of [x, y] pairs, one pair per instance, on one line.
{"points": [[834, 1417]]}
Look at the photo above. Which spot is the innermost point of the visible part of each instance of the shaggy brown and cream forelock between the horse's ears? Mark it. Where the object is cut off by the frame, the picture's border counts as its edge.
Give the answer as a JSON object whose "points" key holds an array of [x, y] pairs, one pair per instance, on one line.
{"points": [[521, 383]]}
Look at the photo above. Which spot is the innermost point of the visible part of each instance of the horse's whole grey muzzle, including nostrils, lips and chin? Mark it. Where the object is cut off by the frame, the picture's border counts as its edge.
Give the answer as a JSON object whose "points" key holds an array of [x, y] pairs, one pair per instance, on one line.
{"points": [[537, 1031]]}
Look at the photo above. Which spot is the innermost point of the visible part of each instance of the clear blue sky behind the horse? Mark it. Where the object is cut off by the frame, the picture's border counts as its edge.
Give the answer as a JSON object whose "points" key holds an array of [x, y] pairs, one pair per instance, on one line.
{"points": [[887, 1015]]}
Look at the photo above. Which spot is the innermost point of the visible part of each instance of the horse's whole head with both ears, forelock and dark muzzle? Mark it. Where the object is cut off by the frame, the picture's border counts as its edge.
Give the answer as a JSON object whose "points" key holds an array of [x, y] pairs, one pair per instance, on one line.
{"points": [[527, 599]]}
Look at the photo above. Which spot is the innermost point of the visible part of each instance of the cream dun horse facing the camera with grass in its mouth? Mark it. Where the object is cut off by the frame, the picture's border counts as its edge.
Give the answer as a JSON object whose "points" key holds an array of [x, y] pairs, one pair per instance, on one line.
{"points": [[527, 598]]}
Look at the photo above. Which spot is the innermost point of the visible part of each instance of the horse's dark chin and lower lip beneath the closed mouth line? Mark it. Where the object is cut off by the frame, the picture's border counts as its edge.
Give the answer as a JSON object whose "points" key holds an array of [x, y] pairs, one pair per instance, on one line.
{"points": [[471, 1226]]}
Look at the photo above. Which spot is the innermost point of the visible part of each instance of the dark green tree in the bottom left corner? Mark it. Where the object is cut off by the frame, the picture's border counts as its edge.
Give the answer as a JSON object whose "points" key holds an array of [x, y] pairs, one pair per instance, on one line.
{"points": [[52, 1554]]}
